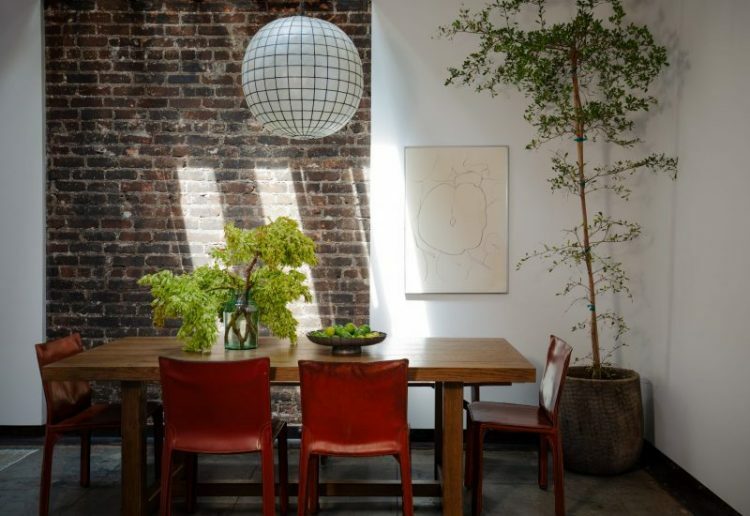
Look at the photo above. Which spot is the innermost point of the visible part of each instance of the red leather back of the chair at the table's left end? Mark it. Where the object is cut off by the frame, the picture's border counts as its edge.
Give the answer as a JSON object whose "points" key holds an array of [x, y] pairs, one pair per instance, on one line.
{"points": [[64, 398]]}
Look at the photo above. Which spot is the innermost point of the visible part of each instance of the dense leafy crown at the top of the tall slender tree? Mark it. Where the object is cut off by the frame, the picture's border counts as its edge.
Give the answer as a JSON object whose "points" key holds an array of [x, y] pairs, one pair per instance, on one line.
{"points": [[613, 62]]}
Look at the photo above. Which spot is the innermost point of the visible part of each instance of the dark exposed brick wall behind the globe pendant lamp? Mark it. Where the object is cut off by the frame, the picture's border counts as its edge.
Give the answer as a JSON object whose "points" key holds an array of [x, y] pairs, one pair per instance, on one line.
{"points": [[151, 148]]}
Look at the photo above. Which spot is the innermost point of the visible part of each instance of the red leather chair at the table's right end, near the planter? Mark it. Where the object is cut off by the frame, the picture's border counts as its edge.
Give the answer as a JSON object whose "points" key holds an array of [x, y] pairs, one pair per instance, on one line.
{"points": [[539, 419]]}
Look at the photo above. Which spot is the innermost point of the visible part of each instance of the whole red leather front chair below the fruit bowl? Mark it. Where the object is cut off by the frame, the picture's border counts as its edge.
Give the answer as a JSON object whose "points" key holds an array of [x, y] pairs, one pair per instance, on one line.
{"points": [[352, 409]]}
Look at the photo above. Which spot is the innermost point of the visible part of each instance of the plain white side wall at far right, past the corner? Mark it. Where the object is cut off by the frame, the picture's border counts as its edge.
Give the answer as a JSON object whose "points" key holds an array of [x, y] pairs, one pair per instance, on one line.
{"points": [[699, 369]]}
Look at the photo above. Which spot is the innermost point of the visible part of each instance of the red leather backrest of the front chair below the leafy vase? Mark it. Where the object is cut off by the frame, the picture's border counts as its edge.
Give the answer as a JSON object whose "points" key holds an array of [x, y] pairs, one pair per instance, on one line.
{"points": [[216, 407]]}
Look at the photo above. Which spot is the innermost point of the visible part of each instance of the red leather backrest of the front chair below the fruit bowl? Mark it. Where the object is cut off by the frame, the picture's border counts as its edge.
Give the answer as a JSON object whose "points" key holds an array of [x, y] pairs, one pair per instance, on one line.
{"points": [[347, 405]]}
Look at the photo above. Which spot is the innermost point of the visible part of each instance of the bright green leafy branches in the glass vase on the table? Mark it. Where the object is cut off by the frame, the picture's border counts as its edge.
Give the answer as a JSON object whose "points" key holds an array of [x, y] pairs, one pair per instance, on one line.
{"points": [[258, 264]]}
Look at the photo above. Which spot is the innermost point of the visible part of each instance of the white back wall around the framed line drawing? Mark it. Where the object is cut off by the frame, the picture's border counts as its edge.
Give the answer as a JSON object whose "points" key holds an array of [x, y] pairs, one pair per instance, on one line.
{"points": [[411, 106]]}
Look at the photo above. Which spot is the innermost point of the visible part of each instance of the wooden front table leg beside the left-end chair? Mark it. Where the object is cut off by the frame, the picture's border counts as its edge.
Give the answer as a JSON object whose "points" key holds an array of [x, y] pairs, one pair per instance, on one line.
{"points": [[133, 448]]}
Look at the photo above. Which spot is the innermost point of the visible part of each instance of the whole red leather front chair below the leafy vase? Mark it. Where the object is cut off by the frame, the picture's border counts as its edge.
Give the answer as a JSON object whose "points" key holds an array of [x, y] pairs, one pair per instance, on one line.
{"points": [[221, 407]]}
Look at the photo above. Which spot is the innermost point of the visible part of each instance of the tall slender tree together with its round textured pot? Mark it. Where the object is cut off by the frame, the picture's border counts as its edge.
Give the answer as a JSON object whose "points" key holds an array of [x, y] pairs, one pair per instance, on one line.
{"points": [[585, 78]]}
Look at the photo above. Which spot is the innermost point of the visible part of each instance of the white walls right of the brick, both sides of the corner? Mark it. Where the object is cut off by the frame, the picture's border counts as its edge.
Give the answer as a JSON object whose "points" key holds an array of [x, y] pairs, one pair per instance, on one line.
{"points": [[688, 271]]}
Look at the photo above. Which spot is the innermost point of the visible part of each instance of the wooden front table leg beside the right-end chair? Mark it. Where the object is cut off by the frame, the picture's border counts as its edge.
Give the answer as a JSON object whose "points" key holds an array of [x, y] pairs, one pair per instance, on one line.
{"points": [[453, 395]]}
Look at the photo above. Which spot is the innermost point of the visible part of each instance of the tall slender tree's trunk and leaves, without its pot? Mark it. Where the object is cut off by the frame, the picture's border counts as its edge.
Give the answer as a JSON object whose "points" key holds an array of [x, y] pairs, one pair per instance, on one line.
{"points": [[585, 79]]}
